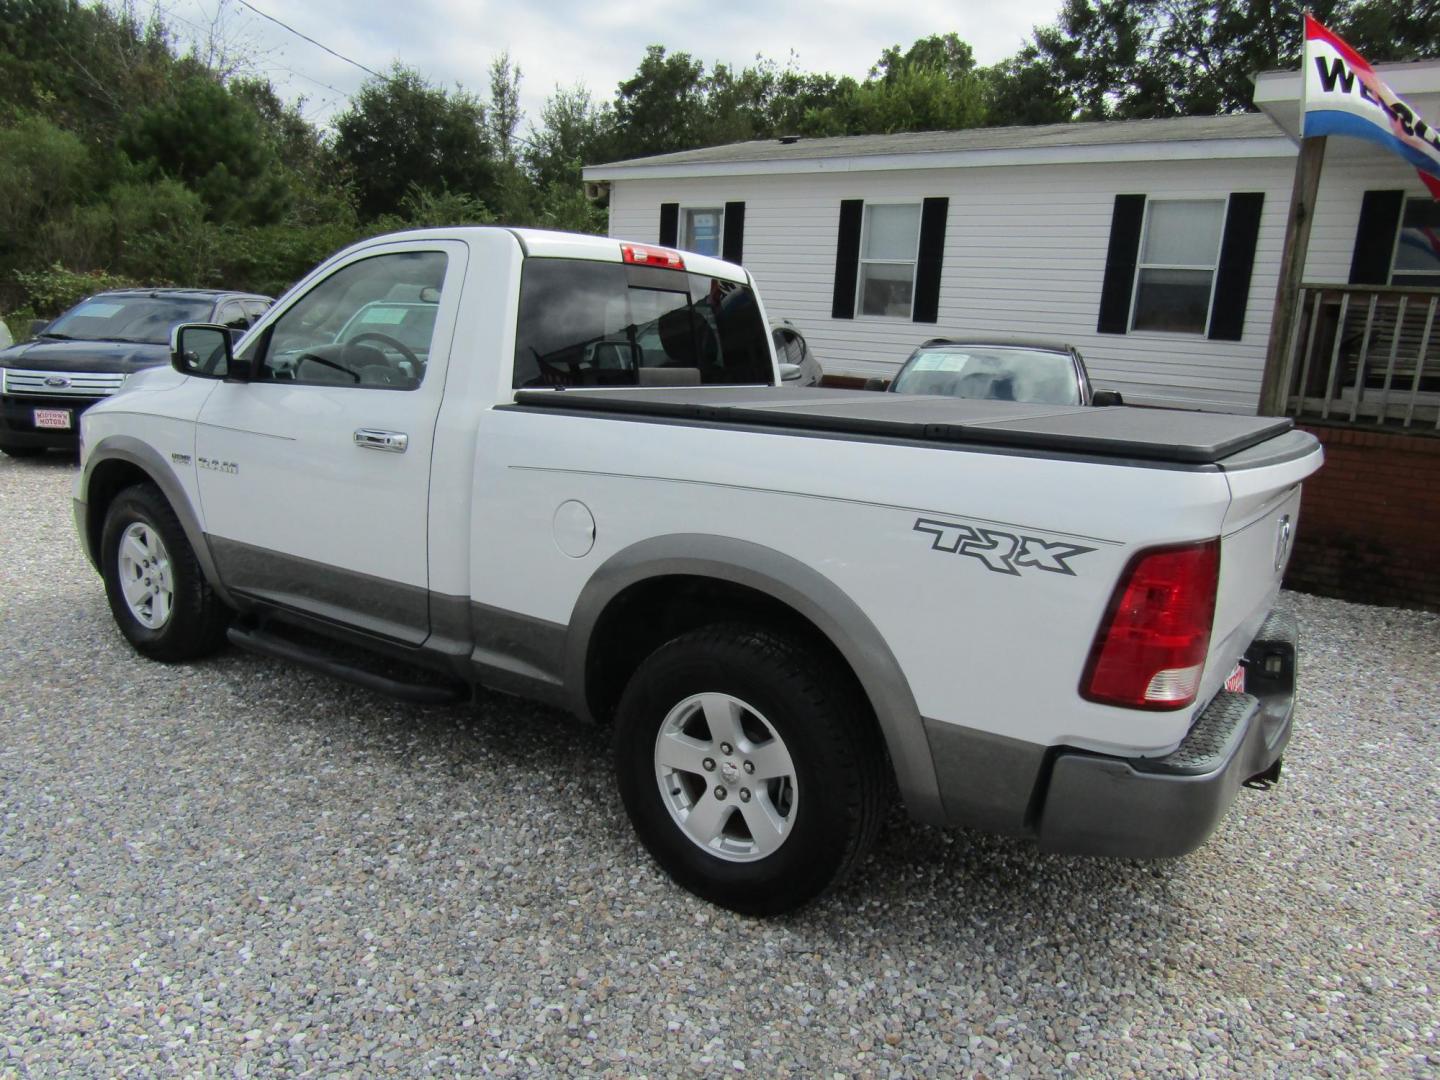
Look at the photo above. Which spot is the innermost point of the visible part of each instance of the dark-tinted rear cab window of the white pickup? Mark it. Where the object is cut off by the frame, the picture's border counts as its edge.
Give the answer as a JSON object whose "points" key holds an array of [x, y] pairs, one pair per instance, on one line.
{"points": [[588, 323]]}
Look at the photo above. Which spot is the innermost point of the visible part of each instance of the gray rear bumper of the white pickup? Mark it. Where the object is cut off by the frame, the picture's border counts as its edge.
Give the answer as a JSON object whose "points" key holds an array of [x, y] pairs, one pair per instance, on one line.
{"points": [[1156, 809]]}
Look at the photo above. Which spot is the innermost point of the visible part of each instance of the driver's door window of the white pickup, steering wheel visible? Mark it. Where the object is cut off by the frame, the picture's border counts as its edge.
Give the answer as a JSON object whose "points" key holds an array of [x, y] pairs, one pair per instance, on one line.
{"points": [[368, 325]]}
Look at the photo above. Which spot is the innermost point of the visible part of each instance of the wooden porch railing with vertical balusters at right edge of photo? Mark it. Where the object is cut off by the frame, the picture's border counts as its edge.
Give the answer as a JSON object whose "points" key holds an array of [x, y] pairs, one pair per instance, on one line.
{"points": [[1366, 355]]}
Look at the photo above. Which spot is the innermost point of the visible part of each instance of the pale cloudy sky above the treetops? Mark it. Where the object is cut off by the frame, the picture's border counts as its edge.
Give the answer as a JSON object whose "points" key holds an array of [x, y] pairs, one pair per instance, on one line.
{"points": [[562, 42]]}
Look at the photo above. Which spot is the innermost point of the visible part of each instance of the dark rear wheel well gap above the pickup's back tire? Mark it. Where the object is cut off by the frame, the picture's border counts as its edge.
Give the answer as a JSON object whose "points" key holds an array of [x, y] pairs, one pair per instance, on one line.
{"points": [[653, 613]]}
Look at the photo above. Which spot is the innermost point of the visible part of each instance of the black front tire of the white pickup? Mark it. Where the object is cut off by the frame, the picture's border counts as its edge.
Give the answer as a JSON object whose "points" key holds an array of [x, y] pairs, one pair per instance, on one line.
{"points": [[197, 620]]}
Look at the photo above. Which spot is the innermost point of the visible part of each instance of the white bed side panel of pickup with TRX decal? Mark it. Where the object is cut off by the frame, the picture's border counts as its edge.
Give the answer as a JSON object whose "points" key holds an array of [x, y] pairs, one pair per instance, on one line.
{"points": [[984, 644]]}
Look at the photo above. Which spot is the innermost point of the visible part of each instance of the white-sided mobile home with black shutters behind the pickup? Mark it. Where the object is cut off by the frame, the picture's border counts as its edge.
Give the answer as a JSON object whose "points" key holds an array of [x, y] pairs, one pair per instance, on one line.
{"points": [[1154, 247]]}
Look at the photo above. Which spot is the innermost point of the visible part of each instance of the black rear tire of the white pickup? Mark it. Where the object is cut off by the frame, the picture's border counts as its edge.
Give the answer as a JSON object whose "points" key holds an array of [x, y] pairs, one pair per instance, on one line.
{"points": [[813, 708]]}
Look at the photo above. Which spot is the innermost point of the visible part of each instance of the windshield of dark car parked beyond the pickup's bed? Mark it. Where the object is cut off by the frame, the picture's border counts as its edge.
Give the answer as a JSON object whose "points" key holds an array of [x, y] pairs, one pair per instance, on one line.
{"points": [[1000, 374]]}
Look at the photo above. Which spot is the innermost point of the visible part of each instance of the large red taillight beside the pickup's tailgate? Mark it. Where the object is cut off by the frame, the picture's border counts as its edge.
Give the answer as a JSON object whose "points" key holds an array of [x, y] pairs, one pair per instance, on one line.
{"points": [[1151, 649]]}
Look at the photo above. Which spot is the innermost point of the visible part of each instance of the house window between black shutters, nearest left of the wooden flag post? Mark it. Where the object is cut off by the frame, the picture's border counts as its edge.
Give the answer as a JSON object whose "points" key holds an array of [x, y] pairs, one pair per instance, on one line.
{"points": [[1176, 277]]}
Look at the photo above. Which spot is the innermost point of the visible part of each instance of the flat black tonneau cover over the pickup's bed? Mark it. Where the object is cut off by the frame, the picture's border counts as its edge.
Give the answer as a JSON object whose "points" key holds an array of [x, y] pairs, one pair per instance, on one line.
{"points": [[1163, 436]]}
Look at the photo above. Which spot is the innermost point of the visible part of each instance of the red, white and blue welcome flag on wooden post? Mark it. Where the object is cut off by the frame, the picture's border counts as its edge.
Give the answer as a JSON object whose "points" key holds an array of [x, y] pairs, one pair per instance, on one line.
{"points": [[1344, 97]]}
